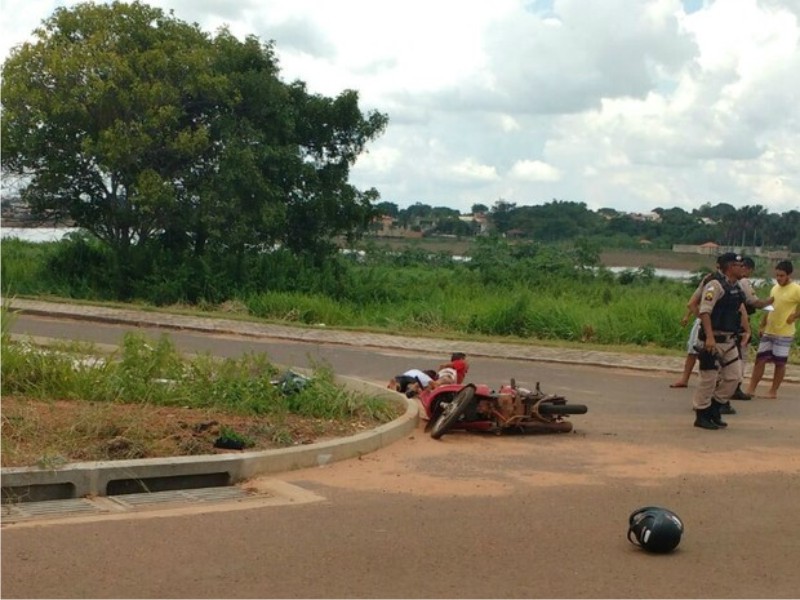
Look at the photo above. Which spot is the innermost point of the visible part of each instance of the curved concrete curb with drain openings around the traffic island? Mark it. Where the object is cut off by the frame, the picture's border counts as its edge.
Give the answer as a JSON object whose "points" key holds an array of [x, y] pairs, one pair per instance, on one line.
{"points": [[76, 480]]}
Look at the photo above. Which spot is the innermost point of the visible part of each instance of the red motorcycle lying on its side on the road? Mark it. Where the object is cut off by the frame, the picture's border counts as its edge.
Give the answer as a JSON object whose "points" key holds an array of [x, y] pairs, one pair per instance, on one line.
{"points": [[477, 407]]}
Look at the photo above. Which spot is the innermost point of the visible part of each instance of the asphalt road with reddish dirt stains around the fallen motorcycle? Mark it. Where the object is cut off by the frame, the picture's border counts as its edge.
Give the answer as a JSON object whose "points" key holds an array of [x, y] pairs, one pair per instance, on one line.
{"points": [[469, 516]]}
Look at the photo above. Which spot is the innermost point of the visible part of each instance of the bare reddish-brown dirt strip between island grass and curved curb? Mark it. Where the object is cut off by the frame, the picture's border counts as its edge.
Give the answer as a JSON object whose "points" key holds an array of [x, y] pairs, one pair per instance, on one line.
{"points": [[46, 434]]}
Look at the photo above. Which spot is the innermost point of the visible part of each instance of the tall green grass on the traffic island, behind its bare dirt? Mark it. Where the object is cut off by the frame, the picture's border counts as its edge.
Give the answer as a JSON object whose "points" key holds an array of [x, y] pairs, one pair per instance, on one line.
{"points": [[154, 373]]}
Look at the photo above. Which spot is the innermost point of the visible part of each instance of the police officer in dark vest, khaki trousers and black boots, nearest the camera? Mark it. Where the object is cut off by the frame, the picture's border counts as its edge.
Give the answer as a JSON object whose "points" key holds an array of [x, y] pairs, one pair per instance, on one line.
{"points": [[721, 316]]}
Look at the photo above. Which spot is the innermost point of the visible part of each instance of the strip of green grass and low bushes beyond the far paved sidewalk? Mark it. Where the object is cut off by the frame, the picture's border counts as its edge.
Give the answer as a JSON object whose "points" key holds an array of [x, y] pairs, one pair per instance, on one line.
{"points": [[514, 291]]}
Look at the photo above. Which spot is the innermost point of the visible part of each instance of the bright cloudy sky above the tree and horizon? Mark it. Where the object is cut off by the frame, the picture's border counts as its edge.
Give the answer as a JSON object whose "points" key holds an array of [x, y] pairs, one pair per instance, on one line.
{"points": [[625, 104]]}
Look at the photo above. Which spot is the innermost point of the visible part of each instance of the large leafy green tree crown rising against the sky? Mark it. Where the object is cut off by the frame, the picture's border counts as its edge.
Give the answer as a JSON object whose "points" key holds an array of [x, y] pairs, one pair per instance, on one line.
{"points": [[145, 130]]}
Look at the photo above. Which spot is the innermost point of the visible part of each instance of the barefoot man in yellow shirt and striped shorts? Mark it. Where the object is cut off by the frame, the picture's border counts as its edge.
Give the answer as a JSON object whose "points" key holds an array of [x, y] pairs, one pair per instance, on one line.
{"points": [[777, 329]]}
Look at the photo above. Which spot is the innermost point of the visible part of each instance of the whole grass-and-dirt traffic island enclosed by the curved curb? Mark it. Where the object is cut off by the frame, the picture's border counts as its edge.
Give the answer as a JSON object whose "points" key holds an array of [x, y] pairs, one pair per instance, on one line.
{"points": [[69, 403]]}
